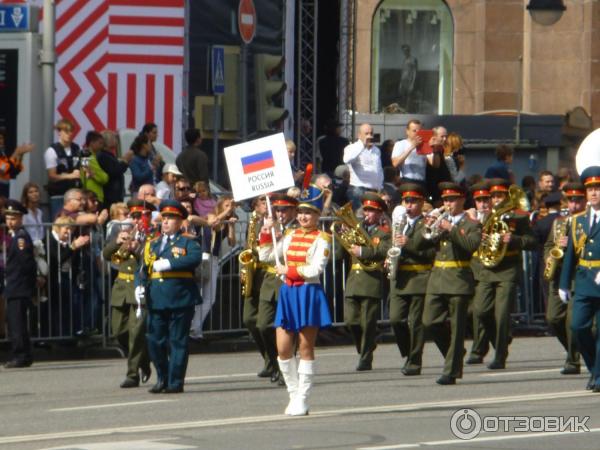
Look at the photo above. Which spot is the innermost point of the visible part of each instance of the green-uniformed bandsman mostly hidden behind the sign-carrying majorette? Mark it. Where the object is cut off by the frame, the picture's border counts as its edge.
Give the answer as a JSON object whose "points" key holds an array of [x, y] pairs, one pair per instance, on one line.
{"points": [[269, 290]]}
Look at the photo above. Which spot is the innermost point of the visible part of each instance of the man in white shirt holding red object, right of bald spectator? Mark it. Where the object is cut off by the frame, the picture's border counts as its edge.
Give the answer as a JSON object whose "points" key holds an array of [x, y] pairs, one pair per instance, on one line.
{"points": [[411, 165]]}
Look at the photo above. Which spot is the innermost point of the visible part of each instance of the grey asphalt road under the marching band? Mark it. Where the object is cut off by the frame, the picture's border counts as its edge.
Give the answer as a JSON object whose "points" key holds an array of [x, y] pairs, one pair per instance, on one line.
{"points": [[78, 405]]}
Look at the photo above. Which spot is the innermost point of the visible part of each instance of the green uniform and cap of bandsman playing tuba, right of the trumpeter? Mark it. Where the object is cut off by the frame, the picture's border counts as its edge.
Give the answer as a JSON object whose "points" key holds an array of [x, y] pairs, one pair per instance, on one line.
{"points": [[497, 287]]}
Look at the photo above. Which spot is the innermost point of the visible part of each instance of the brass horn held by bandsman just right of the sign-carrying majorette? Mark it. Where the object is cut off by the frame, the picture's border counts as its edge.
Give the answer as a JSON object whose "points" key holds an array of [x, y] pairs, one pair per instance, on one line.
{"points": [[347, 229]]}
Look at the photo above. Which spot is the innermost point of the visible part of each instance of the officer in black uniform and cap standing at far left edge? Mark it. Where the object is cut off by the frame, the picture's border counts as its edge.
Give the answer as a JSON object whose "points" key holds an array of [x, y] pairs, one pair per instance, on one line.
{"points": [[20, 284]]}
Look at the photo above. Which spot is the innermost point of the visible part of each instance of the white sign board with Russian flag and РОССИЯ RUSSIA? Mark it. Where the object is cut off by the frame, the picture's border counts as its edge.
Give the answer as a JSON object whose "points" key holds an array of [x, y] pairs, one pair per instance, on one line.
{"points": [[258, 167]]}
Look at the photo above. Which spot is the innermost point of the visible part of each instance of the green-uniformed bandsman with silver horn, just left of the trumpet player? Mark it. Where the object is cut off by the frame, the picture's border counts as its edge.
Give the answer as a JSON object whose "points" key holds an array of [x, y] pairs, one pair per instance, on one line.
{"points": [[407, 291]]}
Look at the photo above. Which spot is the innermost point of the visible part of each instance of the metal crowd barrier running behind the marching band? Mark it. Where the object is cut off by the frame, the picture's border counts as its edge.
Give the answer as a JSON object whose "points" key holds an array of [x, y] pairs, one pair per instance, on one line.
{"points": [[75, 302]]}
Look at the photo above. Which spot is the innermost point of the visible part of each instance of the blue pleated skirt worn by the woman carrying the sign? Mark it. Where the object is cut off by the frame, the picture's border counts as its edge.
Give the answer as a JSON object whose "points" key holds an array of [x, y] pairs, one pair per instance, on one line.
{"points": [[302, 306]]}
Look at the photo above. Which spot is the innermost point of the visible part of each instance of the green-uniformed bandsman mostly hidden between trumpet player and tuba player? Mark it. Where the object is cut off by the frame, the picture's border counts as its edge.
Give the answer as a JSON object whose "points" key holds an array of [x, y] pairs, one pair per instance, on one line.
{"points": [[481, 339]]}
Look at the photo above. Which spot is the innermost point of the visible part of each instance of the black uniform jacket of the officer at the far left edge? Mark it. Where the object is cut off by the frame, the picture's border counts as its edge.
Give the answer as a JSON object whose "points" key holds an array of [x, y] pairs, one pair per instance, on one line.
{"points": [[21, 269]]}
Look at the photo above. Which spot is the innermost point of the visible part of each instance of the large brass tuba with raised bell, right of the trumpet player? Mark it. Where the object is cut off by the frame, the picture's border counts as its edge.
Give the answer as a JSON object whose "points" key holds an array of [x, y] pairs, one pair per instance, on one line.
{"points": [[492, 249]]}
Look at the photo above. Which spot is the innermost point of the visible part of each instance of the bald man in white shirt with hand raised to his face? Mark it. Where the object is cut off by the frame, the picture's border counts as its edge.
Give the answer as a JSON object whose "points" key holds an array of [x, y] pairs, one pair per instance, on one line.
{"points": [[364, 163]]}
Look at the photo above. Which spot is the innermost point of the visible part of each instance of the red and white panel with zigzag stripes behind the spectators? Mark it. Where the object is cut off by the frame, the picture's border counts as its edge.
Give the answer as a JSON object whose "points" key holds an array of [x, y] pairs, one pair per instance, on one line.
{"points": [[120, 64]]}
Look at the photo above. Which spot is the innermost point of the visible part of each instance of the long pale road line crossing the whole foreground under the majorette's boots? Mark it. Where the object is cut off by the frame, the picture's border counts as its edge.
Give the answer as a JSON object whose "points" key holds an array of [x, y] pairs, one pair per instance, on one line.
{"points": [[459, 403]]}
